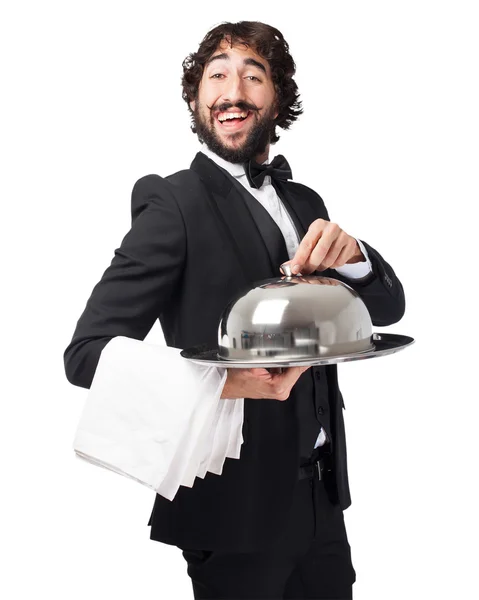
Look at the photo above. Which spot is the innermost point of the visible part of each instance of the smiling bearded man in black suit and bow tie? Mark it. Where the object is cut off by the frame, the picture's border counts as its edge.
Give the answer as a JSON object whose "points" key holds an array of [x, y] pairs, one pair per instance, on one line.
{"points": [[271, 526]]}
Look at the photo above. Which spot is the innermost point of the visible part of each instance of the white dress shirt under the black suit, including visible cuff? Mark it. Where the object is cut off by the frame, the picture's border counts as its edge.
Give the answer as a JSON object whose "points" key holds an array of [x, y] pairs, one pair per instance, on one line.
{"points": [[269, 199]]}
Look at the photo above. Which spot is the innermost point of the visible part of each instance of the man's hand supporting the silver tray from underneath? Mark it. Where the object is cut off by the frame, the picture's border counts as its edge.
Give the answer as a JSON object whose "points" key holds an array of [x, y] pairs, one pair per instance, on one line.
{"points": [[261, 383]]}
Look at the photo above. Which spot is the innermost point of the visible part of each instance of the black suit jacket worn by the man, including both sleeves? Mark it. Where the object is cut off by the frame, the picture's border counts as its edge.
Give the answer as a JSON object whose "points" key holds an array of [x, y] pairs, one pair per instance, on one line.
{"points": [[196, 241]]}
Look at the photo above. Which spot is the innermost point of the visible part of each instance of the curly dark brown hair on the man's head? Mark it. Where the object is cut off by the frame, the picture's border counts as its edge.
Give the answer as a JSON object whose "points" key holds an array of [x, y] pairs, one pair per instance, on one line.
{"points": [[266, 41]]}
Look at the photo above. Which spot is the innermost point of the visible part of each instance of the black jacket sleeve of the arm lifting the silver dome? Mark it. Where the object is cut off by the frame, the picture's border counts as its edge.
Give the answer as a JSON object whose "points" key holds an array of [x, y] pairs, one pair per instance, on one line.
{"points": [[381, 291]]}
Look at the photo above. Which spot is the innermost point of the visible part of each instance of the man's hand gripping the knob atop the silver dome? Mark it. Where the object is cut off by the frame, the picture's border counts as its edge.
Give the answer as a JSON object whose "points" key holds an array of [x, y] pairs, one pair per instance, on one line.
{"points": [[325, 246]]}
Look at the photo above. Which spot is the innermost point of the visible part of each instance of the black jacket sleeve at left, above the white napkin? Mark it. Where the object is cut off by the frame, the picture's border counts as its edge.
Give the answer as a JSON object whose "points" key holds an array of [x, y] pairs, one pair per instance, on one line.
{"points": [[139, 282]]}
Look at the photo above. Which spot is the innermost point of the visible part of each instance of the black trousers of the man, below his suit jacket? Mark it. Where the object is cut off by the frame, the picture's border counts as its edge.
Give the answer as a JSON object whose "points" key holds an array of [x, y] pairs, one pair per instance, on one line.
{"points": [[311, 559]]}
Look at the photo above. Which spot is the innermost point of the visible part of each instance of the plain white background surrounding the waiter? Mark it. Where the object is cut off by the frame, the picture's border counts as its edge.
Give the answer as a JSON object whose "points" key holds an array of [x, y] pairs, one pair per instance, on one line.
{"points": [[91, 102]]}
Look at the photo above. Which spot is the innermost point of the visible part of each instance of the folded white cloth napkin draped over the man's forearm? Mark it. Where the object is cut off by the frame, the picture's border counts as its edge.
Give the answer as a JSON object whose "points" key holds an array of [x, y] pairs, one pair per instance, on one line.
{"points": [[157, 418]]}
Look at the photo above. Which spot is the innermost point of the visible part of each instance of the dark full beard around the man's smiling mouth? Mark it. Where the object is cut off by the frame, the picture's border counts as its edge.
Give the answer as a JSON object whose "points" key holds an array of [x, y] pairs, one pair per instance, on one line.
{"points": [[256, 140]]}
